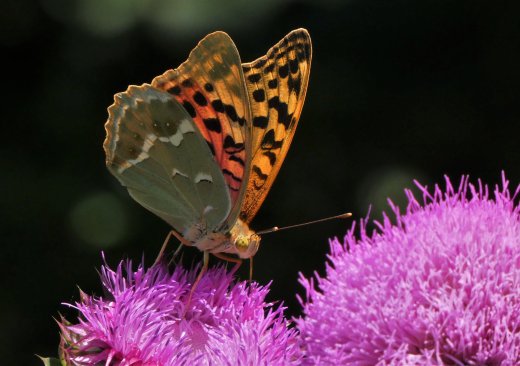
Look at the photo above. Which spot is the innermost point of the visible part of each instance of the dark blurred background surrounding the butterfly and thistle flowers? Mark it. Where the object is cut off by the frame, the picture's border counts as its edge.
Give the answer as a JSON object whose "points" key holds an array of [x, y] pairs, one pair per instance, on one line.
{"points": [[398, 90]]}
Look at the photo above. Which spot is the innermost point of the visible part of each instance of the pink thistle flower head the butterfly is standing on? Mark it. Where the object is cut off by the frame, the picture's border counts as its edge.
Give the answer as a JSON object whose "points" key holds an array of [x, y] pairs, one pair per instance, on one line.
{"points": [[144, 320]]}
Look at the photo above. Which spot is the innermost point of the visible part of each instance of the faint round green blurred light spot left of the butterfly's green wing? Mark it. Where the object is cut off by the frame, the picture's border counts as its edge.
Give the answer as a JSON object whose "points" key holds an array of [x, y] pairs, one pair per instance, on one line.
{"points": [[99, 220]]}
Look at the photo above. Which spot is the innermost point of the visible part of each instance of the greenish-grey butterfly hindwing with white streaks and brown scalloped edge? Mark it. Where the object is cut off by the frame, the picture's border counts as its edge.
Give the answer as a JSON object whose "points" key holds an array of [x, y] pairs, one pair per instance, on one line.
{"points": [[155, 149]]}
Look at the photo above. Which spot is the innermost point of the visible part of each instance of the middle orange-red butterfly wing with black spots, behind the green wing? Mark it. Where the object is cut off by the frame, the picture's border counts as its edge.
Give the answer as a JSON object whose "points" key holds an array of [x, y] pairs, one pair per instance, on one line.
{"points": [[210, 85]]}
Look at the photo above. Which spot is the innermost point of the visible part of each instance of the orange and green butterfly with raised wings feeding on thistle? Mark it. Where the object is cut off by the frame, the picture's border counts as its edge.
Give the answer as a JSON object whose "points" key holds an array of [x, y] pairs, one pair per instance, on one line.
{"points": [[201, 145]]}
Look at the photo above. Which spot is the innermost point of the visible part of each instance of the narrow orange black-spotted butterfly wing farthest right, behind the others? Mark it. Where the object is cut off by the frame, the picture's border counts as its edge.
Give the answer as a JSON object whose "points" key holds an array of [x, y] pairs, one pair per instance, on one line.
{"points": [[276, 85]]}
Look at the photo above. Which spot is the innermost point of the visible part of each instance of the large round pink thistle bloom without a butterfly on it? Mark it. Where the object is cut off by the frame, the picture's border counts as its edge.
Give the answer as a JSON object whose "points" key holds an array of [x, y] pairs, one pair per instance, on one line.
{"points": [[441, 286]]}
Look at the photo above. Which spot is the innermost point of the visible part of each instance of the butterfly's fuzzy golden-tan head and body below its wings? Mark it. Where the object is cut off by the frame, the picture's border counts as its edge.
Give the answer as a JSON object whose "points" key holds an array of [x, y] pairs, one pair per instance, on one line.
{"points": [[240, 240]]}
